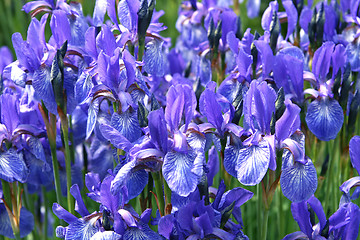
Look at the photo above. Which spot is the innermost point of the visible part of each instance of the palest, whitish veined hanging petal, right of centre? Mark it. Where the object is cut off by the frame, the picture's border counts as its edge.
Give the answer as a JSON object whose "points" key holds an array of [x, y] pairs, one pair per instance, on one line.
{"points": [[253, 163]]}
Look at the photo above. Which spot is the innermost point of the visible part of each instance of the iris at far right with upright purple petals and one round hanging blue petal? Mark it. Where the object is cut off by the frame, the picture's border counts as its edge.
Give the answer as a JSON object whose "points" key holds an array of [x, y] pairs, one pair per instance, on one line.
{"points": [[324, 115]]}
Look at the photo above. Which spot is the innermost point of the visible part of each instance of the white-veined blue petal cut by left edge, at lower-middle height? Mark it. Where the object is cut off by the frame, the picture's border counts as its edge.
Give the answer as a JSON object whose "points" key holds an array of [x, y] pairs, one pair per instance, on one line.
{"points": [[12, 166]]}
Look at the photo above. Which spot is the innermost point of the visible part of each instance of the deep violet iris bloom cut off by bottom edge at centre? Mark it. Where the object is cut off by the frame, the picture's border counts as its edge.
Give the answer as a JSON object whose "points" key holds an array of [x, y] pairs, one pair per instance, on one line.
{"points": [[196, 220]]}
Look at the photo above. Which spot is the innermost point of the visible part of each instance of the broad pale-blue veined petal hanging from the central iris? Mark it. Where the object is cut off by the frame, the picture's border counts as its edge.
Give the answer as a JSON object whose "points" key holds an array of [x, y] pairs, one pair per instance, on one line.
{"points": [[178, 171]]}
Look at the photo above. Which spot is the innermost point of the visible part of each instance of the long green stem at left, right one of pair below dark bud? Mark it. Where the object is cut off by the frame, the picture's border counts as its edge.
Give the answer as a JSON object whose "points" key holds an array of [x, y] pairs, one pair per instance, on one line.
{"points": [[65, 130]]}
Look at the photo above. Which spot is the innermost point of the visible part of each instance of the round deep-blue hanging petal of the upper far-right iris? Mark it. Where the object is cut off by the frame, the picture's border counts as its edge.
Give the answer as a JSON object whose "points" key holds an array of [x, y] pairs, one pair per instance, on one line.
{"points": [[324, 118]]}
